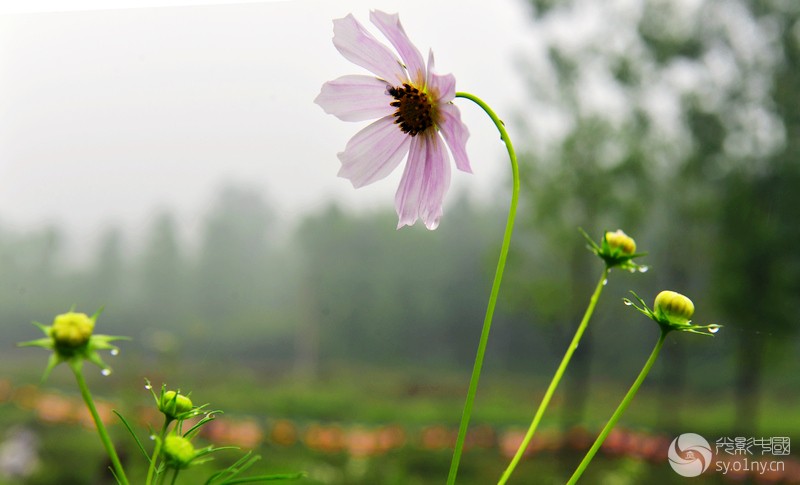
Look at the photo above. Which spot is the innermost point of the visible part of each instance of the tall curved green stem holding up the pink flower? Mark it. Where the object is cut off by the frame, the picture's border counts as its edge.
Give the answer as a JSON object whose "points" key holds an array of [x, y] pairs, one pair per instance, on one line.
{"points": [[498, 277]]}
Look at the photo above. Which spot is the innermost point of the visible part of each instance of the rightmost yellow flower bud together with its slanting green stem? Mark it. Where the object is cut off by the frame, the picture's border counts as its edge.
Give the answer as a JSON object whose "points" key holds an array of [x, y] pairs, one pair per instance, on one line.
{"points": [[672, 311]]}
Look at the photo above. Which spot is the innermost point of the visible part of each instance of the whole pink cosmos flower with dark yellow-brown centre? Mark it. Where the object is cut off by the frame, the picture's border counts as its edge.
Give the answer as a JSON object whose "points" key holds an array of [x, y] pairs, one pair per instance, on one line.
{"points": [[415, 116]]}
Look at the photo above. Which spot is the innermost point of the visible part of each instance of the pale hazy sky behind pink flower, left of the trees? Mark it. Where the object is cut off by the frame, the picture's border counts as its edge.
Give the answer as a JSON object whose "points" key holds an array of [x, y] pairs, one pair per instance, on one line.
{"points": [[110, 115]]}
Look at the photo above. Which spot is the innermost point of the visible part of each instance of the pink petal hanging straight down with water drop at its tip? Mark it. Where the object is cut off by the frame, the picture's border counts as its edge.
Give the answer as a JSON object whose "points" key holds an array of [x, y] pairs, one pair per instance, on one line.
{"points": [[425, 180]]}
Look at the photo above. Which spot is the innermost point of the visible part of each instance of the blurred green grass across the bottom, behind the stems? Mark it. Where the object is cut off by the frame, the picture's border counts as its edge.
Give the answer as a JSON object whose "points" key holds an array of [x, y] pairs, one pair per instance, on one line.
{"points": [[369, 397]]}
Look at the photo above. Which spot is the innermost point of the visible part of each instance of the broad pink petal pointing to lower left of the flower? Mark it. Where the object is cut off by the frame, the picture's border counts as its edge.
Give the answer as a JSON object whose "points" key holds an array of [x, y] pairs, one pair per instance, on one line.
{"points": [[373, 152]]}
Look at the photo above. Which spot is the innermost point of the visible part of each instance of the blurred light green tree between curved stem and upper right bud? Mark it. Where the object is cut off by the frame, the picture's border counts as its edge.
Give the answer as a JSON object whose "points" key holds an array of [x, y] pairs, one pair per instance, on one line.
{"points": [[594, 172]]}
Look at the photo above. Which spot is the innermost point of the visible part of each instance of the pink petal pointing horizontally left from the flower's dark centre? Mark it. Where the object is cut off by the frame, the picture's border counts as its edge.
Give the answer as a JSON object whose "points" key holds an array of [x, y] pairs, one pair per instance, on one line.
{"points": [[355, 98]]}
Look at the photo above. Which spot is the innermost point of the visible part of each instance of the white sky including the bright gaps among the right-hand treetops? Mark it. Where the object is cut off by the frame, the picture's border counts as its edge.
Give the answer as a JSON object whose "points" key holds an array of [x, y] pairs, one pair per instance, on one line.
{"points": [[113, 115]]}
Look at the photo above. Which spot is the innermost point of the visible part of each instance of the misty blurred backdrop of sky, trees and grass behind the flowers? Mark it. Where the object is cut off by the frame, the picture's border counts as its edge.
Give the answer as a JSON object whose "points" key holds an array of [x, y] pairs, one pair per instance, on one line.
{"points": [[169, 165]]}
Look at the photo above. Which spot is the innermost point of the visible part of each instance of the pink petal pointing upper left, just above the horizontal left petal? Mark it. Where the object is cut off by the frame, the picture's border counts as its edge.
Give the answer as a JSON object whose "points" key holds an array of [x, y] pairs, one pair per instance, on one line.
{"points": [[360, 47]]}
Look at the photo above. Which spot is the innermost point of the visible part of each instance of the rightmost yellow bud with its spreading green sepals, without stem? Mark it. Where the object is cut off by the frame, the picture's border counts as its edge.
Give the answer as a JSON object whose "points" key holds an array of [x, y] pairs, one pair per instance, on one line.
{"points": [[673, 311]]}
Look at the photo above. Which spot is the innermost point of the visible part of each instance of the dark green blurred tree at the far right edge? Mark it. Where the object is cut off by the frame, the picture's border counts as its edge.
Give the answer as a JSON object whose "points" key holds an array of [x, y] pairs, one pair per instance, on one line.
{"points": [[758, 268]]}
